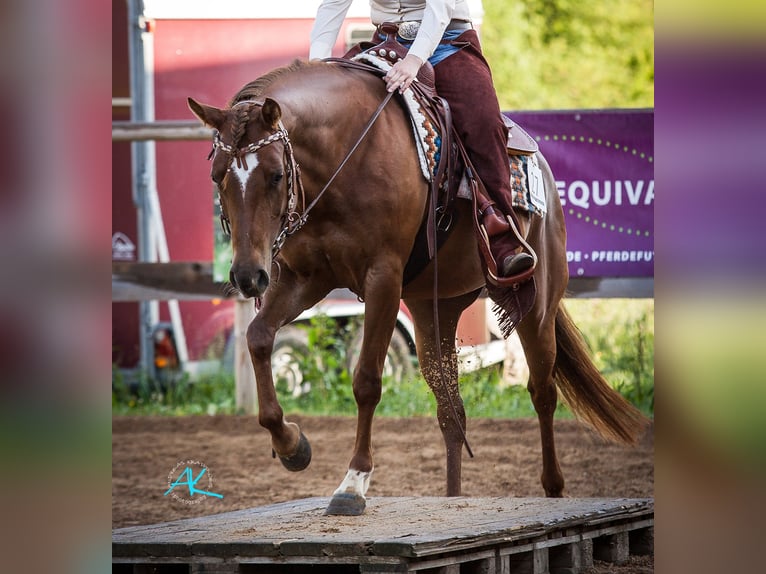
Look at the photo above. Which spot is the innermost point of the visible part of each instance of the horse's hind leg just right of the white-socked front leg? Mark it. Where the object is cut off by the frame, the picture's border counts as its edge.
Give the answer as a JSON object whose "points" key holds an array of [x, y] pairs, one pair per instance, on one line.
{"points": [[443, 380]]}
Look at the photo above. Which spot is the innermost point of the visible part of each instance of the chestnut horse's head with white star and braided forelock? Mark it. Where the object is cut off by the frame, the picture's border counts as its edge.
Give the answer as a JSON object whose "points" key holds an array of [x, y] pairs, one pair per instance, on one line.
{"points": [[254, 172]]}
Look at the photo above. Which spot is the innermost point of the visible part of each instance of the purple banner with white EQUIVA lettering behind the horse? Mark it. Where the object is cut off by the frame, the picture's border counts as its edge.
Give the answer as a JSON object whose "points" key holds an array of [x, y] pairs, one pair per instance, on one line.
{"points": [[603, 163]]}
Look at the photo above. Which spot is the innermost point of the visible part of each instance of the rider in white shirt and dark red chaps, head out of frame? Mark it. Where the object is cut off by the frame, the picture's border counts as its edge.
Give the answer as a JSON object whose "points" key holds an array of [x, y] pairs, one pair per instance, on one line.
{"points": [[463, 79]]}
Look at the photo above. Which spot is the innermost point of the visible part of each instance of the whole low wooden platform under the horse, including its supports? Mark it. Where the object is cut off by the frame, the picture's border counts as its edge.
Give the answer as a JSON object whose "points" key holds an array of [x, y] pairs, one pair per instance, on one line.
{"points": [[402, 534]]}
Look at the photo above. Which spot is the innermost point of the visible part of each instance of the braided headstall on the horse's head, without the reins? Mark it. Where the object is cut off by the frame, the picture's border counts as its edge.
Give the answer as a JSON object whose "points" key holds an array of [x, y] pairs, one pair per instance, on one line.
{"points": [[291, 220]]}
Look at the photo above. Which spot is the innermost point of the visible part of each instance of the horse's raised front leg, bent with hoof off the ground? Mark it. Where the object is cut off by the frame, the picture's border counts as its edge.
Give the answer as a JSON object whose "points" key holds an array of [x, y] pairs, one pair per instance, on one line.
{"points": [[286, 300]]}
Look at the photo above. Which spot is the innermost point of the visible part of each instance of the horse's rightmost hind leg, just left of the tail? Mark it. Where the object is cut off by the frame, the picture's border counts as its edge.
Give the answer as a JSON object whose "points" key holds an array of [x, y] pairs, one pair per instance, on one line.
{"points": [[537, 335]]}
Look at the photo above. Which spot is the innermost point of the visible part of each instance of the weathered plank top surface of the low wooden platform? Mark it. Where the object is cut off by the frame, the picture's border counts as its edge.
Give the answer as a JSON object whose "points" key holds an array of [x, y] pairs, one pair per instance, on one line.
{"points": [[412, 532]]}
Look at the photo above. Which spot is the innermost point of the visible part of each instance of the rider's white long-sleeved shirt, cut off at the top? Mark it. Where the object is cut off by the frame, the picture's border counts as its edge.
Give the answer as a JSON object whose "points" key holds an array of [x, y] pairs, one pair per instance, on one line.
{"points": [[434, 16]]}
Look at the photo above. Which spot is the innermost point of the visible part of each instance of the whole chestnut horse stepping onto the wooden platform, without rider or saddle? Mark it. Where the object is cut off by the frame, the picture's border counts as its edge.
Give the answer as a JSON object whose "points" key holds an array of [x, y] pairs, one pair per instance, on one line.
{"points": [[277, 146]]}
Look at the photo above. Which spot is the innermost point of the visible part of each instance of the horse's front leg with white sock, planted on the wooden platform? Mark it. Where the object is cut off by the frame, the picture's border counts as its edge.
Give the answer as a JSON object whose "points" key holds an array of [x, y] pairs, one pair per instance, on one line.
{"points": [[381, 307]]}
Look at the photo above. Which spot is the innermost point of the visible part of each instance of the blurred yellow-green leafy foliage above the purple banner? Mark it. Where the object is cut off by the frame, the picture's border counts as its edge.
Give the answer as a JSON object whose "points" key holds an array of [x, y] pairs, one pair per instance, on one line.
{"points": [[564, 54]]}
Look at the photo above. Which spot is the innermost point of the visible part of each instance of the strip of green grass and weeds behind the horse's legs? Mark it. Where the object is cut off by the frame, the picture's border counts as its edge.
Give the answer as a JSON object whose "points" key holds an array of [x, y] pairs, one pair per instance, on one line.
{"points": [[620, 334]]}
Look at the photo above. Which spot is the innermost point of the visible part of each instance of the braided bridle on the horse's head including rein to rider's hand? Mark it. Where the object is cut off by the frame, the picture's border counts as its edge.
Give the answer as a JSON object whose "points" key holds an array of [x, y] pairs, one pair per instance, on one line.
{"points": [[292, 221]]}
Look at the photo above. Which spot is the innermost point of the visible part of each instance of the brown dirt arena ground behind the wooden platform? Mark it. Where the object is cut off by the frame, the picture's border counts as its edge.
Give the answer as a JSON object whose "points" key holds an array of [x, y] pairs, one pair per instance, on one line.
{"points": [[409, 460]]}
